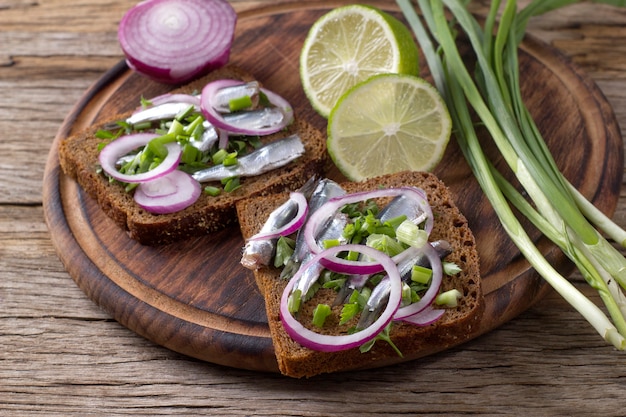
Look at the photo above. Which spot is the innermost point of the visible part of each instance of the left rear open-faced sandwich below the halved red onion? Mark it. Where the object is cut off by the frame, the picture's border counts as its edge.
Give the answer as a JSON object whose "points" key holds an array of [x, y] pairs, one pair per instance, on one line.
{"points": [[176, 166]]}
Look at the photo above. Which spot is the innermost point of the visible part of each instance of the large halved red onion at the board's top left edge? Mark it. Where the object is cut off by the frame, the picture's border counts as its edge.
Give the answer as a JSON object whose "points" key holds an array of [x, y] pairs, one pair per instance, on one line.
{"points": [[174, 41]]}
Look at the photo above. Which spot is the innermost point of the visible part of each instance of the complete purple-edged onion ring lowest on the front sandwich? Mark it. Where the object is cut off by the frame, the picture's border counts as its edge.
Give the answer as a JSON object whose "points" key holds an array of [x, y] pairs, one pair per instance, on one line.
{"points": [[333, 343]]}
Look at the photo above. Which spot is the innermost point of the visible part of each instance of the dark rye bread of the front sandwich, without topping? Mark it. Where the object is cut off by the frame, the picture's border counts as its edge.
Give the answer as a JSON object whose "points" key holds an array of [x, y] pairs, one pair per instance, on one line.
{"points": [[457, 325]]}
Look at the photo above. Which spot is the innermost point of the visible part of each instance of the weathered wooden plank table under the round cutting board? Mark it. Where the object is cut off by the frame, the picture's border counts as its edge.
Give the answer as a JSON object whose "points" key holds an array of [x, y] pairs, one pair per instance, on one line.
{"points": [[60, 355]]}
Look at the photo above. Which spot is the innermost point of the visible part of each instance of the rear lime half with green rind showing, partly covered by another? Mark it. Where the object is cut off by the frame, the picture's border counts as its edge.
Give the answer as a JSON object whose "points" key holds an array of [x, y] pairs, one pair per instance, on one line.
{"points": [[348, 45]]}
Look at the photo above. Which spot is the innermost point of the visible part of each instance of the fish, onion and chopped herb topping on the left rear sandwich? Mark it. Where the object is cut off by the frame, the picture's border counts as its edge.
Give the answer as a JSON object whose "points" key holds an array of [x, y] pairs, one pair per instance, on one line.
{"points": [[174, 142]]}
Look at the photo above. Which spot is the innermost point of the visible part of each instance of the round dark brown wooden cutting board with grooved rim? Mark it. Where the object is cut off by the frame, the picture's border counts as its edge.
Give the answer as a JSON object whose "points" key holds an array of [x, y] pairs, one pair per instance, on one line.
{"points": [[194, 297]]}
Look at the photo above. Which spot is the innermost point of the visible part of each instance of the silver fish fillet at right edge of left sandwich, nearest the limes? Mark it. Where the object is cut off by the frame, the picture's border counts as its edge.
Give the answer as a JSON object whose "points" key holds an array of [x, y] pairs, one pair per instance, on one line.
{"points": [[271, 156]]}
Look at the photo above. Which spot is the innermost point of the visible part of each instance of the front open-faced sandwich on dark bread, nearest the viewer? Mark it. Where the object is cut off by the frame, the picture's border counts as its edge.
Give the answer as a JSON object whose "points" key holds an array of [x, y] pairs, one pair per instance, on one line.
{"points": [[362, 274]]}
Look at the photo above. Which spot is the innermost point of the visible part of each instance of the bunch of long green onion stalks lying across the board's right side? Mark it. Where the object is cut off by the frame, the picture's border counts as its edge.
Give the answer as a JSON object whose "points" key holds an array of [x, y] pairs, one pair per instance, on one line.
{"points": [[559, 211]]}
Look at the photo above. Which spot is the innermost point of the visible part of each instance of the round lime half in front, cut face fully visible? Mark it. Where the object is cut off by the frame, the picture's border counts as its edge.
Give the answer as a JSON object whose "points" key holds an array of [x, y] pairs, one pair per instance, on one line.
{"points": [[386, 124]]}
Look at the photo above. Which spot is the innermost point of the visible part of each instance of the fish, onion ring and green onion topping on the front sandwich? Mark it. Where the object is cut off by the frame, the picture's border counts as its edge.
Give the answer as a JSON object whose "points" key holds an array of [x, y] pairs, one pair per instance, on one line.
{"points": [[368, 253]]}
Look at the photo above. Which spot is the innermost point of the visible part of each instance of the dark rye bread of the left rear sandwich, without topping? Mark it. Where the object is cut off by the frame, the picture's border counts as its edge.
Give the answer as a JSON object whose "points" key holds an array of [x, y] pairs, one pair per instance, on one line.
{"points": [[79, 160]]}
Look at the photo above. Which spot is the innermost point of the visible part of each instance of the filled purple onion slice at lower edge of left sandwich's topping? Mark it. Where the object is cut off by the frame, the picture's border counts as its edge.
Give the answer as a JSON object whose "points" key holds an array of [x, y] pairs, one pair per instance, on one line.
{"points": [[168, 194]]}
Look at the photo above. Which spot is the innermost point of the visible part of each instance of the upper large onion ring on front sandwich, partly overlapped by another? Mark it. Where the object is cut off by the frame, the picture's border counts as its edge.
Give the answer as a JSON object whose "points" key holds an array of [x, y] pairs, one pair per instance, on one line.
{"points": [[318, 219]]}
